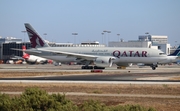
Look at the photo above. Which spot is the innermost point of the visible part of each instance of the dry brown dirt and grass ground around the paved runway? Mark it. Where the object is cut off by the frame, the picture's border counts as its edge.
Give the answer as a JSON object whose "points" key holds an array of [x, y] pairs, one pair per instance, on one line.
{"points": [[159, 103]]}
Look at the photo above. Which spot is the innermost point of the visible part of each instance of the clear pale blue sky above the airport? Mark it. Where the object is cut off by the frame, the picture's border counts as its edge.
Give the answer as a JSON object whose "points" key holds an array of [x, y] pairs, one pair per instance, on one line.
{"points": [[56, 20]]}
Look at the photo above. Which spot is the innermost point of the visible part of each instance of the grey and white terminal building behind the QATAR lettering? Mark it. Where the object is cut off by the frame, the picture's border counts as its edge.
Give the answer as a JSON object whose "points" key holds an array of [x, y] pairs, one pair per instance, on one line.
{"points": [[150, 41]]}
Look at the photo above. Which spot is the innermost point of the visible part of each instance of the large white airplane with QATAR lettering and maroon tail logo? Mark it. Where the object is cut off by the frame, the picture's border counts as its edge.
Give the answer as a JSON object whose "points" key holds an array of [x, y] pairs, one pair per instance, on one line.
{"points": [[100, 57]]}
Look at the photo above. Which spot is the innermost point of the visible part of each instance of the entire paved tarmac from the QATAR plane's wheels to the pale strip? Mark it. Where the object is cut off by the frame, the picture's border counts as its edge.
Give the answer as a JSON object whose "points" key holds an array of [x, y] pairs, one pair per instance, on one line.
{"points": [[164, 74]]}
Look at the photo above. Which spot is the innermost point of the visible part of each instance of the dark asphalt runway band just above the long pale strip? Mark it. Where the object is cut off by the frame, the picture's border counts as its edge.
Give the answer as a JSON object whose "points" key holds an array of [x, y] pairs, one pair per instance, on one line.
{"points": [[161, 77]]}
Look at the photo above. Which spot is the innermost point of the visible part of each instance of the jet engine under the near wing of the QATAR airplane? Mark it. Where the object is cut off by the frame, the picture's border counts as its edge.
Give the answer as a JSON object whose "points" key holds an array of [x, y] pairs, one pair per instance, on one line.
{"points": [[103, 61]]}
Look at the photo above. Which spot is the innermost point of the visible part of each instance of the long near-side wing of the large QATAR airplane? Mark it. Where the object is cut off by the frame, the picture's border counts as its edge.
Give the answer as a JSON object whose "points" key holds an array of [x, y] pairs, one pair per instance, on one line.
{"points": [[77, 55]]}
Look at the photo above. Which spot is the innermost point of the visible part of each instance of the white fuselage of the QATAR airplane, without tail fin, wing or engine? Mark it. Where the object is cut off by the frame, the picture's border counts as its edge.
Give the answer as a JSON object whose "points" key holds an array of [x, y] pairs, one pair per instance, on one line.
{"points": [[124, 55]]}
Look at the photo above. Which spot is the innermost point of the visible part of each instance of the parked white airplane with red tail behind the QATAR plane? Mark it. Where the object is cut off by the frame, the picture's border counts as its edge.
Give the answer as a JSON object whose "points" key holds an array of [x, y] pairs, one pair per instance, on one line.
{"points": [[32, 59]]}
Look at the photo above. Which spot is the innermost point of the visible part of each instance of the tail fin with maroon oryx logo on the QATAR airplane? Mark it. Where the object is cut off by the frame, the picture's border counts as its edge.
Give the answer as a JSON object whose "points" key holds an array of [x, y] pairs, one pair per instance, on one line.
{"points": [[35, 39]]}
